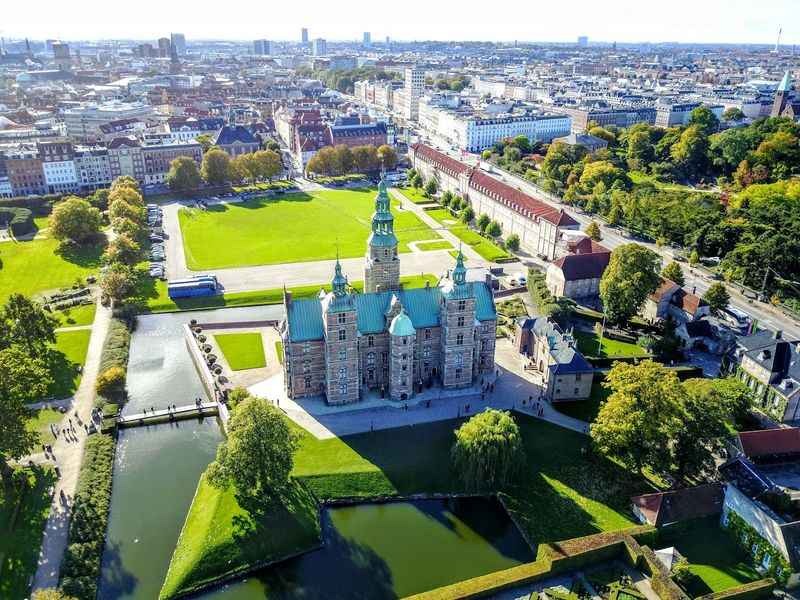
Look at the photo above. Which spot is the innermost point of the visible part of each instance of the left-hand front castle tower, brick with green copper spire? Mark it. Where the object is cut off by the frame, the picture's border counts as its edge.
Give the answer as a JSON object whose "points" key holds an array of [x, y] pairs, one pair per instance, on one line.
{"points": [[341, 342]]}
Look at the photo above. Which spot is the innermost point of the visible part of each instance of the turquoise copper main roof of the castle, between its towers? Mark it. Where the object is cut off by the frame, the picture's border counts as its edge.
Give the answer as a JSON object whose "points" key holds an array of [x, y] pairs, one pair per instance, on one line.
{"points": [[422, 305]]}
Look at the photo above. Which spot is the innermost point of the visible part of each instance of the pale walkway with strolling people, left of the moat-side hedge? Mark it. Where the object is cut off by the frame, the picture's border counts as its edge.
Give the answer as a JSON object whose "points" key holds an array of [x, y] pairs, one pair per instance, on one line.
{"points": [[68, 455]]}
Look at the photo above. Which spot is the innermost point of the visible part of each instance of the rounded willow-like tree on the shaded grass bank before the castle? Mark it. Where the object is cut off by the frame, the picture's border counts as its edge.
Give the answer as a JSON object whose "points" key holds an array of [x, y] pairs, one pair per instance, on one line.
{"points": [[488, 451]]}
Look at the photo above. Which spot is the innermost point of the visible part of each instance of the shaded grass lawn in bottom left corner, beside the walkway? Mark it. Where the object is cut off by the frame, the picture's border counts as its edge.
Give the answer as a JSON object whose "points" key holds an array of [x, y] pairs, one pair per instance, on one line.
{"points": [[22, 519]]}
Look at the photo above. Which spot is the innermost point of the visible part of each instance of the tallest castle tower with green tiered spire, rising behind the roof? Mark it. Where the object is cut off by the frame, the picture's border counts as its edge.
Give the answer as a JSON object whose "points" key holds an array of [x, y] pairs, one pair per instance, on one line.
{"points": [[382, 268]]}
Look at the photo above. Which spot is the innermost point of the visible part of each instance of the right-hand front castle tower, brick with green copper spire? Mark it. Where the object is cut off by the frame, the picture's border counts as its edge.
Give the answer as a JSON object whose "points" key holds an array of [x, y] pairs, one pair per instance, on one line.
{"points": [[458, 328]]}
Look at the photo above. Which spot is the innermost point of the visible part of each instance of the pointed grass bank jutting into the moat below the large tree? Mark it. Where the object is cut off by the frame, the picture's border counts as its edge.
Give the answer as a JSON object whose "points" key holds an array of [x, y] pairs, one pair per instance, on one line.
{"points": [[222, 529]]}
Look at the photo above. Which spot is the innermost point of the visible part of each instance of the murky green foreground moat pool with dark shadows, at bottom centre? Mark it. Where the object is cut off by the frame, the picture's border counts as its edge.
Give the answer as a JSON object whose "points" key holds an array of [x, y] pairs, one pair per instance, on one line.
{"points": [[392, 550]]}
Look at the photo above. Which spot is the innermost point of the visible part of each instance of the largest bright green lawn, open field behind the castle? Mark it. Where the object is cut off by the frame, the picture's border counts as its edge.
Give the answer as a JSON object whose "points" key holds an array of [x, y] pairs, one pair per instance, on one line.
{"points": [[289, 228]]}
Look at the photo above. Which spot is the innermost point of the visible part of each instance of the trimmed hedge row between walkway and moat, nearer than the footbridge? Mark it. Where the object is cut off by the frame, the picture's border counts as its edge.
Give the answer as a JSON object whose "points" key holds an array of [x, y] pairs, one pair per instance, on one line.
{"points": [[80, 568]]}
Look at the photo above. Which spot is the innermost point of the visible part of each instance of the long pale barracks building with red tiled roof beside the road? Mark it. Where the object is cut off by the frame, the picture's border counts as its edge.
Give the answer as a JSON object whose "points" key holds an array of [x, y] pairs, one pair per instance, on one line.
{"points": [[538, 225]]}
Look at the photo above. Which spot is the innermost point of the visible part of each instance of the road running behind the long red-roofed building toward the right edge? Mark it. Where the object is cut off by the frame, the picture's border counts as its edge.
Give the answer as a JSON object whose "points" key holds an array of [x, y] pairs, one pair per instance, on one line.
{"points": [[698, 280]]}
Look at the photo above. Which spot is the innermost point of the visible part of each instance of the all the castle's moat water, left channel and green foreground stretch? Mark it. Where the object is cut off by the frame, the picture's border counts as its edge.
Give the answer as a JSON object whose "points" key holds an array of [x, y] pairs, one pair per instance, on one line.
{"points": [[371, 550]]}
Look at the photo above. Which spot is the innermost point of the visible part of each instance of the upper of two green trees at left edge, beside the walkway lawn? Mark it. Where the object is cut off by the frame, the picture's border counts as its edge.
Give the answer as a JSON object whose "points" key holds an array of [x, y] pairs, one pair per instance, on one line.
{"points": [[25, 323]]}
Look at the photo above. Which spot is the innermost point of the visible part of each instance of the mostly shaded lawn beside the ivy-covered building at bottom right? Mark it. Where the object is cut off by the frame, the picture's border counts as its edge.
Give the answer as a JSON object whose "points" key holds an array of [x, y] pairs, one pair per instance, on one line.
{"points": [[715, 557]]}
